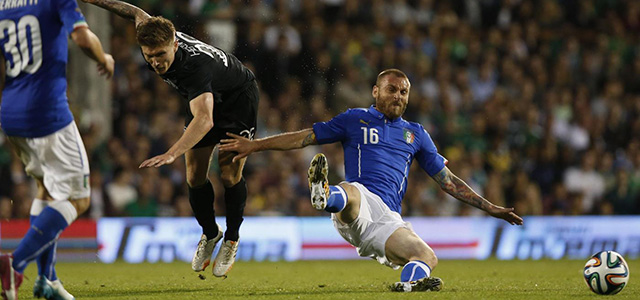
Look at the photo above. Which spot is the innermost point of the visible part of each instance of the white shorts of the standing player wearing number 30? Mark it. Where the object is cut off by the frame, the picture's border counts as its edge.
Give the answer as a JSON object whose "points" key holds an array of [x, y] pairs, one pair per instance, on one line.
{"points": [[59, 160]]}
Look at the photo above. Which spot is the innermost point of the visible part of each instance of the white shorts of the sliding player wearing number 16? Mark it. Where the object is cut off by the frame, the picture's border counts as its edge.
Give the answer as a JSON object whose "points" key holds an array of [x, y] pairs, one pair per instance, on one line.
{"points": [[374, 225]]}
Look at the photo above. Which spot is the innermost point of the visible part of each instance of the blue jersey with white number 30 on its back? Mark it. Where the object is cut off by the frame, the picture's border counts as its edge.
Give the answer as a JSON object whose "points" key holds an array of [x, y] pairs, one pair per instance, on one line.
{"points": [[33, 39]]}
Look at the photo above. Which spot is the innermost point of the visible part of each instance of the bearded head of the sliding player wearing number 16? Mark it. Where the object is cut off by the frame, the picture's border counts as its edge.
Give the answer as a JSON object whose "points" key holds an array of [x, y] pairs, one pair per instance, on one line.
{"points": [[392, 96]]}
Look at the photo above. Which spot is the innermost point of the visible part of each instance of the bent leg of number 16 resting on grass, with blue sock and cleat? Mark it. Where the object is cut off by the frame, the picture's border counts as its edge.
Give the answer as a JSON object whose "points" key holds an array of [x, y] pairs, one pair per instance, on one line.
{"points": [[404, 247]]}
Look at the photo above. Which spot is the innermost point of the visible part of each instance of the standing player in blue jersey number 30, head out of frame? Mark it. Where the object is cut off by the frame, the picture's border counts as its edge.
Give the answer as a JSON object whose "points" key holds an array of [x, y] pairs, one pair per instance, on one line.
{"points": [[35, 115]]}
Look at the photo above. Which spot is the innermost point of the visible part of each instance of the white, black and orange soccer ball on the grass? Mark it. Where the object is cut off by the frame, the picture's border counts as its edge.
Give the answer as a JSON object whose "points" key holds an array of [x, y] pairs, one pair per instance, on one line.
{"points": [[606, 273]]}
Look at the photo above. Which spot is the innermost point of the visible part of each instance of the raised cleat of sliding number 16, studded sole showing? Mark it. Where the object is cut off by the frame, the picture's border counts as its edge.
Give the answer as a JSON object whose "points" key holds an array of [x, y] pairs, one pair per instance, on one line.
{"points": [[318, 182]]}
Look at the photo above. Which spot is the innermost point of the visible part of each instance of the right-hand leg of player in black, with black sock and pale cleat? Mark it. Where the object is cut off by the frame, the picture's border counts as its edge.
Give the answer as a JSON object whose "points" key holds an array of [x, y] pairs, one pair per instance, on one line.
{"points": [[235, 198]]}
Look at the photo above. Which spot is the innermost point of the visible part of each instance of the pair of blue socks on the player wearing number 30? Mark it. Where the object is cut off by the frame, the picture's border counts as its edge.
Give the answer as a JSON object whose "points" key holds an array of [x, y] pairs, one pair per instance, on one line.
{"points": [[41, 237]]}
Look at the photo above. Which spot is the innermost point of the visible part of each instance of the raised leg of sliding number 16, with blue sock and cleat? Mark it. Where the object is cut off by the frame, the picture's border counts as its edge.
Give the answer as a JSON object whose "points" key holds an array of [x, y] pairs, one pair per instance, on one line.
{"points": [[343, 199]]}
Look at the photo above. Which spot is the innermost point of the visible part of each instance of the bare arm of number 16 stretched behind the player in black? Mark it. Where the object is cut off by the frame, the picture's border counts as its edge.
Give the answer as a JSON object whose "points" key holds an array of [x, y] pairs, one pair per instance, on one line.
{"points": [[284, 141]]}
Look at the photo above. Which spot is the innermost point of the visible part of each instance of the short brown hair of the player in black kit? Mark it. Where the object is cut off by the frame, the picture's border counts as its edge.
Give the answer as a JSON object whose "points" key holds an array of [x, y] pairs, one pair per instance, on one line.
{"points": [[155, 32]]}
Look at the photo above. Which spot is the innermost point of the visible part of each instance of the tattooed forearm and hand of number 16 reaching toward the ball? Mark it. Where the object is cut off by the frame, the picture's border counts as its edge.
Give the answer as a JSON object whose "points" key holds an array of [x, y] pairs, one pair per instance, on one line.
{"points": [[457, 188]]}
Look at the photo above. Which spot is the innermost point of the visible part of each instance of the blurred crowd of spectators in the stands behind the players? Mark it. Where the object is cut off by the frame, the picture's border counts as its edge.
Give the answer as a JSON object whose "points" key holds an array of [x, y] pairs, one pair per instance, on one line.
{"points": [[536, 104]]}
